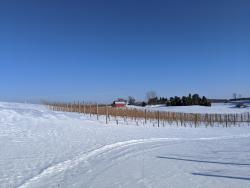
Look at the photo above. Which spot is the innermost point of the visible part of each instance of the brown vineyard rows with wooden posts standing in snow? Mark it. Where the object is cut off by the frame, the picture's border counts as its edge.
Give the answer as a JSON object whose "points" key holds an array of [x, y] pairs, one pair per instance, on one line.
{"points": [[156, 118]]}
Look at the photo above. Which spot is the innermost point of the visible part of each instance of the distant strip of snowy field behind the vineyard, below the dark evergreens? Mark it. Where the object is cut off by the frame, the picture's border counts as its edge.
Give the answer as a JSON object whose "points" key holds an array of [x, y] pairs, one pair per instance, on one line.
{"points": [[216, 108]]}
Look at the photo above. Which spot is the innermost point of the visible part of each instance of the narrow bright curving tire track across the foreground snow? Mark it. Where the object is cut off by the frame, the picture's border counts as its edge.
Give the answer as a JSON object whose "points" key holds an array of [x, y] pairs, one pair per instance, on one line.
{"points": [[85, 157]]}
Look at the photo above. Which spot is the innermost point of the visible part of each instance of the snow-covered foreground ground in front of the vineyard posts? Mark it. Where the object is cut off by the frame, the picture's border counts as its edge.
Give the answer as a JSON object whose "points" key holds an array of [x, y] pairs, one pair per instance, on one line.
{"points": [[41, 148]]}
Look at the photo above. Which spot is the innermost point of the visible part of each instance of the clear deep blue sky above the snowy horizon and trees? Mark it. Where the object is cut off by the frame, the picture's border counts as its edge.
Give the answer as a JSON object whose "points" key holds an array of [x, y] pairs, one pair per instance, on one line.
{"points": [[98, 50]]}
